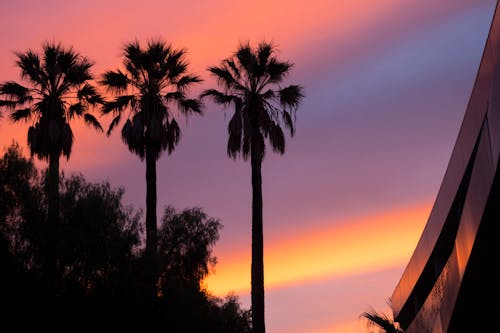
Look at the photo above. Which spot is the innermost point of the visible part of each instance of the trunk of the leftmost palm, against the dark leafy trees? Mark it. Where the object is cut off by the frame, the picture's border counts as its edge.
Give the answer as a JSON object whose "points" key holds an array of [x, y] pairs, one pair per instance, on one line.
{"points": [[52, 187]]}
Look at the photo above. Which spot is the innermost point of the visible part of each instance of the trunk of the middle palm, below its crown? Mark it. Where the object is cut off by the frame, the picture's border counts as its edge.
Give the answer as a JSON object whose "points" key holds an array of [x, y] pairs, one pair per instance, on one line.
{"points": [[151, 228]]}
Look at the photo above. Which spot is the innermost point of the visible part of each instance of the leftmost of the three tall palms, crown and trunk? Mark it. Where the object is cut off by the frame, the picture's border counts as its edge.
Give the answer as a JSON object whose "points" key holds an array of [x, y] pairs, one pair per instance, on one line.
{"points": [[57, 90]]}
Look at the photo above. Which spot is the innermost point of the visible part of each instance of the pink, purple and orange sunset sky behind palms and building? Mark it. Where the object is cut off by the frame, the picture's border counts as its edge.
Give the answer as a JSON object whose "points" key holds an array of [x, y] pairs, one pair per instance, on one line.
{"points": [[386, 84]]}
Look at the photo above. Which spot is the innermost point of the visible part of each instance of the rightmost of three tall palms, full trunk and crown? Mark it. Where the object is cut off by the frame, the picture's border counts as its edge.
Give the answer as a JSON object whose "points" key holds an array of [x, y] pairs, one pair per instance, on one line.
{"points": [[250, 81]]}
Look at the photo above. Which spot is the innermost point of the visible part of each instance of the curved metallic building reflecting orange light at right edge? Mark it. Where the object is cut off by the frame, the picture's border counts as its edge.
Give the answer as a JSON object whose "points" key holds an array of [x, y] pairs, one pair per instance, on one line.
{"points": [[451, 283]]}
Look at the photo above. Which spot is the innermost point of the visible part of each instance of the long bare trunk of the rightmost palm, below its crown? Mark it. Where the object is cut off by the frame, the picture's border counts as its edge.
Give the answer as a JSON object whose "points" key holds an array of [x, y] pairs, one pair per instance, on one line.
{"points": [[257, 277]]}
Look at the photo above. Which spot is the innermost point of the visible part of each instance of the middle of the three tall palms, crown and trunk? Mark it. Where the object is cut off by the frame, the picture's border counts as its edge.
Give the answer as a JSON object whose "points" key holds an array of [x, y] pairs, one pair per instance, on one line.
{"points": [[155, 78]]}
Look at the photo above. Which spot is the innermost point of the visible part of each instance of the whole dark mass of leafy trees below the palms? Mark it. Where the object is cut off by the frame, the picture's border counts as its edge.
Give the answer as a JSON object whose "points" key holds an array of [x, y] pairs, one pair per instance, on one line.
{"points": [[98, 238]]}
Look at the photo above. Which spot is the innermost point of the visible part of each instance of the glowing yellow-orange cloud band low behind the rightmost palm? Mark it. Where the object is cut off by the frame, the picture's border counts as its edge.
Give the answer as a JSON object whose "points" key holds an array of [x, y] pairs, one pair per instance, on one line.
{"points": [[358, 246]]}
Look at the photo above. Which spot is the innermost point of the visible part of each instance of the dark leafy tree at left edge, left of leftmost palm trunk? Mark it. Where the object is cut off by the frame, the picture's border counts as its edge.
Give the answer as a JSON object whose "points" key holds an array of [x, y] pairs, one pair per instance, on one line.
{"points": [[19, 195]]}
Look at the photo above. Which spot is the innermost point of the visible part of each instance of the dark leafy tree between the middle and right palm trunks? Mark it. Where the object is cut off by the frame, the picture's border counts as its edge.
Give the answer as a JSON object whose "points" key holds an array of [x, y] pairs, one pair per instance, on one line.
{"points": [[186, 241]]}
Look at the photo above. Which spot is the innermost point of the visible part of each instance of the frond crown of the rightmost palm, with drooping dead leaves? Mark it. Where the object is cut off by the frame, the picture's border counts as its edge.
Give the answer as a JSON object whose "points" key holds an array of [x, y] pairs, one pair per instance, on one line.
{"points": [[250, 80]]}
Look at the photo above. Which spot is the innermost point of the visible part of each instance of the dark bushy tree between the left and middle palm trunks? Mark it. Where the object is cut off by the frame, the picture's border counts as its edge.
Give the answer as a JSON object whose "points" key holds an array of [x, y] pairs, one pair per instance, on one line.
{"points": [[99, 236]]}
